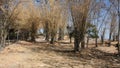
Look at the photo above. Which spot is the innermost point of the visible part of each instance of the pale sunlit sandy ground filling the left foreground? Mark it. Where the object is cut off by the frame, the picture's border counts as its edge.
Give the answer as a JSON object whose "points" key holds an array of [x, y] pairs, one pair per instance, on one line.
{"points": [[28, 55]]}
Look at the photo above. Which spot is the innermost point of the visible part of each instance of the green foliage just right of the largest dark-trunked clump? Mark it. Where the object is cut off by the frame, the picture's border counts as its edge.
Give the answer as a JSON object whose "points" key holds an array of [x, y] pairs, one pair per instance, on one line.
{"points": [[92, 31]]}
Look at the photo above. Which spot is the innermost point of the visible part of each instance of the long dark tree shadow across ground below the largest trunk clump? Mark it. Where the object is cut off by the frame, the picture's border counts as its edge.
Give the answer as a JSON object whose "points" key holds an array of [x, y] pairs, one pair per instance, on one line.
{"points": [[84, 54]]}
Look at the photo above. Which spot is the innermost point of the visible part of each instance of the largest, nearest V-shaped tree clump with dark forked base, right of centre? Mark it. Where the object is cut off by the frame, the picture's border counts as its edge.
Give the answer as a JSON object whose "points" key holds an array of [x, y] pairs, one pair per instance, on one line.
{"points": [[79, 12]]}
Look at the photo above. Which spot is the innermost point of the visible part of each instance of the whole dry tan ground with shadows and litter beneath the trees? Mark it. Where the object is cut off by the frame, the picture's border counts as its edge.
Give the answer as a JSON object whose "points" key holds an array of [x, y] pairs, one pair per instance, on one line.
{"points": [[43, 55]]}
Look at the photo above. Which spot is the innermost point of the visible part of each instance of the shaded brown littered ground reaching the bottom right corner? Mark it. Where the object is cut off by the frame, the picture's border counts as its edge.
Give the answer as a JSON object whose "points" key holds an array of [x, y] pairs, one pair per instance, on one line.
{"points": [[90, 55]]}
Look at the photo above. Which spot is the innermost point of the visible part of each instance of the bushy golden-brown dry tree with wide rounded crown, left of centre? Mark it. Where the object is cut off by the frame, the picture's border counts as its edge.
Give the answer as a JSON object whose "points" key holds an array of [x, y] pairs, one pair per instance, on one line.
{"points": [[29, 20]]}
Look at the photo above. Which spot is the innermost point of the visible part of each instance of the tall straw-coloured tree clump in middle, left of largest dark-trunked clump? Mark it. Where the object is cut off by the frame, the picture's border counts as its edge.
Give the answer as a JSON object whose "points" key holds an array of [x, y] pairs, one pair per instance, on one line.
{"points": [[54, 22]]}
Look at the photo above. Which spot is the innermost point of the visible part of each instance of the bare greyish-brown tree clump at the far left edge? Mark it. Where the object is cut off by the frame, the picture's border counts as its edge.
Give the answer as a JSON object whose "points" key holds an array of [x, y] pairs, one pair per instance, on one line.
{"points": [[8, 13]]}
